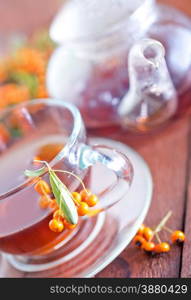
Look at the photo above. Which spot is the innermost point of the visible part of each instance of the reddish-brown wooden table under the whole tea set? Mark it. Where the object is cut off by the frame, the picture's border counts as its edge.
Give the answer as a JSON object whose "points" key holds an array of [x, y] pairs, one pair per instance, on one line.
{"points": [[168, 154]]}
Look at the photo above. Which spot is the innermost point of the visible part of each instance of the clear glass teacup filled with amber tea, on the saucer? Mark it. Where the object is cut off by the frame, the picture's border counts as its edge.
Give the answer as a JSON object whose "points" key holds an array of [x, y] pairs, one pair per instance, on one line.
{"points": [[53, 131]]}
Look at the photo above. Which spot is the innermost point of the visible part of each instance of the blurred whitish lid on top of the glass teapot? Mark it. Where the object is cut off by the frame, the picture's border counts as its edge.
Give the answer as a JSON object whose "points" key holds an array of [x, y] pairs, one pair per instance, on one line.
{"points": [[82, 19]]}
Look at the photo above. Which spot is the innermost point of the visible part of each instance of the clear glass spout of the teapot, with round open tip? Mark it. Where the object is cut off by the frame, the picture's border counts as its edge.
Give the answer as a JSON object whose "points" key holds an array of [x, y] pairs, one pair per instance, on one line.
{"points": [[151, 99]]}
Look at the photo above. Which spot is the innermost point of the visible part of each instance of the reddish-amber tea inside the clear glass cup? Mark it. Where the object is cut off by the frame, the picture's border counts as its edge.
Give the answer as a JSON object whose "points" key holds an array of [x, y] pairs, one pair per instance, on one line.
{"points": [[23, 224]]}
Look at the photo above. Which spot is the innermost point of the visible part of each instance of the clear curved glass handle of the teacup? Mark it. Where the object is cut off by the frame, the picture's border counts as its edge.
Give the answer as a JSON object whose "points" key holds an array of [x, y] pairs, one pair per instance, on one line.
{"points": [[116, 162]]}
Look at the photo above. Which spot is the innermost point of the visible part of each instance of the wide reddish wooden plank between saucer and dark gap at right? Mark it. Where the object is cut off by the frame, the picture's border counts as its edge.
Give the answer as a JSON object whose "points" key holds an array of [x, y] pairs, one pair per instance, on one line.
{"points": [[167, 155]]}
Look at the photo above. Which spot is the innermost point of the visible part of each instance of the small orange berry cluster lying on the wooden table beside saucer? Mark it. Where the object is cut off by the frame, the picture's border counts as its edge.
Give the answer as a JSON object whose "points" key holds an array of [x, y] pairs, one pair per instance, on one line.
{"points": [[144, 239]]}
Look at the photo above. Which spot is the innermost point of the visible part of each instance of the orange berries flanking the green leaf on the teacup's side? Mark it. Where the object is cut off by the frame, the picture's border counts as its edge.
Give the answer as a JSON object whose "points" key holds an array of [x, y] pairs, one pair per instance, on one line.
{"points": [[83, 201]]}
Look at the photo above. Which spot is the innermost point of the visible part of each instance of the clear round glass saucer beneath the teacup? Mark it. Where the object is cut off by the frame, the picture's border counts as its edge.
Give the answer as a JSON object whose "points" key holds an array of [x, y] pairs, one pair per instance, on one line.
{"points": [[99, 239]]}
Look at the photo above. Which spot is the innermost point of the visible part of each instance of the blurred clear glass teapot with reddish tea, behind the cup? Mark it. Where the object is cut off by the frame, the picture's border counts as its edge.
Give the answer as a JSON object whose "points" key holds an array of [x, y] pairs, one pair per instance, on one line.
{"points": [[110, 65]]}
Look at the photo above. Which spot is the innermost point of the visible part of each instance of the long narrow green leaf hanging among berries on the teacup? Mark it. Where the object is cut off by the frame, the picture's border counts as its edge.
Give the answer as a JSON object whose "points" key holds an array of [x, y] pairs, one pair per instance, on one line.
{"points": [[63, 198]]}
